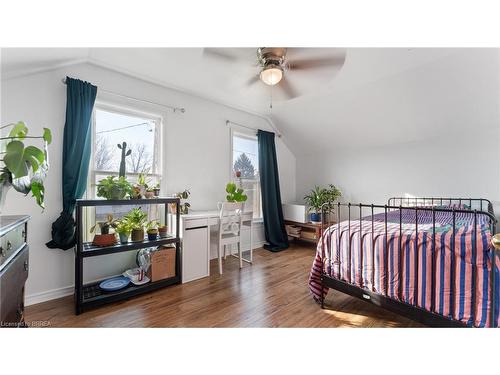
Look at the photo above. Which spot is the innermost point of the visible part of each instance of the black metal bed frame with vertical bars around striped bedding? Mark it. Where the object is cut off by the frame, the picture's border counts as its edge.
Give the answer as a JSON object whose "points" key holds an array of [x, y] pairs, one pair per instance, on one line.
{"points": [[414, 312]]}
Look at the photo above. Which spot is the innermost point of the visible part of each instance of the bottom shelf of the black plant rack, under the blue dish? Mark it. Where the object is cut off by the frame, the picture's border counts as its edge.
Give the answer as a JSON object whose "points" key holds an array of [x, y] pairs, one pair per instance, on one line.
{"points": [[95, 296]]}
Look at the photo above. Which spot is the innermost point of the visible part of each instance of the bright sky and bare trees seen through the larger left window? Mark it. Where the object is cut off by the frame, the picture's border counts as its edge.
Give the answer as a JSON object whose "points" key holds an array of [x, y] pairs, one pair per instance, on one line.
{"points": [[113, 128]]}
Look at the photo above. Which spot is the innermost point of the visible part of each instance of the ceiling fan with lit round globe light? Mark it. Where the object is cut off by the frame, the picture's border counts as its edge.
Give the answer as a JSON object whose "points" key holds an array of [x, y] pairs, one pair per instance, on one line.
{"points": [[274, 65]]}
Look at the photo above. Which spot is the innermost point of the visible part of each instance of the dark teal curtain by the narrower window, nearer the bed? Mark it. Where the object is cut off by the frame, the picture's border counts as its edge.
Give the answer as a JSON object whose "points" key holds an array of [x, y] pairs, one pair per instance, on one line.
{"points": [[274, 225]]}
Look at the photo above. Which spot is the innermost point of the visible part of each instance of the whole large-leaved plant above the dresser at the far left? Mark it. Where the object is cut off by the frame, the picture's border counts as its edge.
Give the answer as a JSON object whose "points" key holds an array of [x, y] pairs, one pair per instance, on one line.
{"points": [[24, 168]]}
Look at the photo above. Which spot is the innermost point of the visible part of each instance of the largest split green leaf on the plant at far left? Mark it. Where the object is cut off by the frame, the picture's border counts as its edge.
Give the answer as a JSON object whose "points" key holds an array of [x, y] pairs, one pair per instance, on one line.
{"points": [[19, 159]]}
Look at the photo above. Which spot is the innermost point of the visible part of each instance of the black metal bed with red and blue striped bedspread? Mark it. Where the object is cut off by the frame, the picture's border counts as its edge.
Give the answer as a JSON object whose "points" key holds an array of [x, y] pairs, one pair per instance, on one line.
{"points": [[429, 259]]}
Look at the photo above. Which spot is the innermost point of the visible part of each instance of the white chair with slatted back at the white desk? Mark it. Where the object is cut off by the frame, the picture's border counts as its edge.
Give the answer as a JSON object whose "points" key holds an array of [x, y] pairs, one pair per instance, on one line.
{"points": [[230, 226]]}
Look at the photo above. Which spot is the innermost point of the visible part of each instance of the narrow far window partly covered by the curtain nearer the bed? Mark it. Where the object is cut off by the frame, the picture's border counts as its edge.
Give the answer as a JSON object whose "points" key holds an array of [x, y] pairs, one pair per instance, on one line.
{"points": [[245, 159]]}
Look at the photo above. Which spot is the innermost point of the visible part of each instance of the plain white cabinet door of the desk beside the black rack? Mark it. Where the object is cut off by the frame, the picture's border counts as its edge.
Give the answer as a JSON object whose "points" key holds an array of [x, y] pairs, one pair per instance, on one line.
{"points": [[195, 254]]}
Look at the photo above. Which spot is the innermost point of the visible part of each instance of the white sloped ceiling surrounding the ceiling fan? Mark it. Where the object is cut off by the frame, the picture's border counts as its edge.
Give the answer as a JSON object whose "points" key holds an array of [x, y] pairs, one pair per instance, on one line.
{"points": [[378, 96]]}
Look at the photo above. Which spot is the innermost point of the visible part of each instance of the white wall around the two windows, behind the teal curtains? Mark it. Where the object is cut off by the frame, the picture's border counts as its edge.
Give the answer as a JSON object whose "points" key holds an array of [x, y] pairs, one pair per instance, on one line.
{"points": [[196, 157]]}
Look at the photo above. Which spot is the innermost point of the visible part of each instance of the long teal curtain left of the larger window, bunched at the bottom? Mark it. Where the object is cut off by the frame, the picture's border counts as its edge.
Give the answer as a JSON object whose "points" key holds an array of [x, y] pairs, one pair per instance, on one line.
{"points": [[80, 99]]}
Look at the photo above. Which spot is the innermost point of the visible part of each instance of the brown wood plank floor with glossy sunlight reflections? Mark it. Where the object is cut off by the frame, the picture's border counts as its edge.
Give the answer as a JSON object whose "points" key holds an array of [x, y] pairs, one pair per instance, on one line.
{"points": [[273, 292]]}
